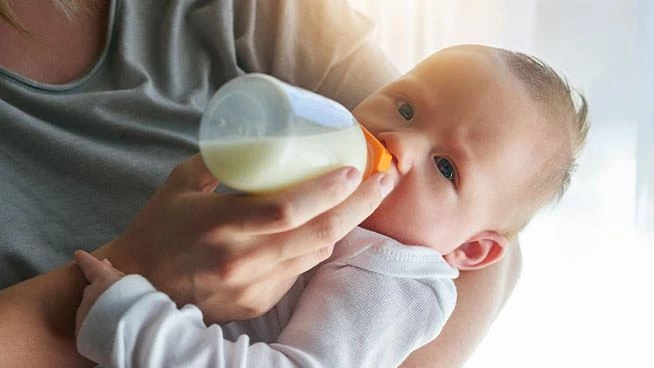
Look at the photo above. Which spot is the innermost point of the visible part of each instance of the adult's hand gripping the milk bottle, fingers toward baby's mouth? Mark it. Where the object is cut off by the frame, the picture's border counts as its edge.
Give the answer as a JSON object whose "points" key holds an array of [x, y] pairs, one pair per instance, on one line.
{"points": [[234, 255]]}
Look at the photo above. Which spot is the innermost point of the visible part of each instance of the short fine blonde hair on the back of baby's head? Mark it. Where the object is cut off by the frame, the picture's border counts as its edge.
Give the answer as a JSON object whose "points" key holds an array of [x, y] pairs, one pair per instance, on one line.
{"points": [[562, 106]]}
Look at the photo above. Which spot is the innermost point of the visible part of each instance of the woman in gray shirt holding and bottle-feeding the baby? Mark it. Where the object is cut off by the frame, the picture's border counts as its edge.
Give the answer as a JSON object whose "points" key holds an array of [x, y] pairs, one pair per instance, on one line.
{"points": [[98, 106]]}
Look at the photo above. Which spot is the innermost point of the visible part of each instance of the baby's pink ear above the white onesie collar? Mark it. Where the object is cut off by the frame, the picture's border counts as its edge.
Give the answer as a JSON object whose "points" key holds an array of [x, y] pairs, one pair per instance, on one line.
{"points": [[478, 252]]}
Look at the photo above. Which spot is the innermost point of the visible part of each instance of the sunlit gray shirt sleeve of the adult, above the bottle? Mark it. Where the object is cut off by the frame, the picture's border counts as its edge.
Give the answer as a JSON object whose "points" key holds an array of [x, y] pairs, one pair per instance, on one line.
{"points": [[321, 45]]}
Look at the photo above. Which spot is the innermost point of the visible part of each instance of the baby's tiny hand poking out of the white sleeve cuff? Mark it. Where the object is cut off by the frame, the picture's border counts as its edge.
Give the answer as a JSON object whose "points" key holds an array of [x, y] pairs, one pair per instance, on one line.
{"points": [[100, 276]]}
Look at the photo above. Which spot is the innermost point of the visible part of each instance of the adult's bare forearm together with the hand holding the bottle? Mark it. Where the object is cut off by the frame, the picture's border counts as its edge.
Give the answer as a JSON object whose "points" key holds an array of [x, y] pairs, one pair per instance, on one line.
{"points": [[232, 255]]}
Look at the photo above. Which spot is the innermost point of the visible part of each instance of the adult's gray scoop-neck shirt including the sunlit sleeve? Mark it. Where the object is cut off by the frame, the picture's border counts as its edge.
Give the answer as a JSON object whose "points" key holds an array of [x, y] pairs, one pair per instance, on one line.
{"points": [[78, 160]]}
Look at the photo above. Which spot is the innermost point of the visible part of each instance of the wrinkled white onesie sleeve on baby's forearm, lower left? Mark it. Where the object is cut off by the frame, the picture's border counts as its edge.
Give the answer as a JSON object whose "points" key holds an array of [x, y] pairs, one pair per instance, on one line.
{"points": [[133, 325]]}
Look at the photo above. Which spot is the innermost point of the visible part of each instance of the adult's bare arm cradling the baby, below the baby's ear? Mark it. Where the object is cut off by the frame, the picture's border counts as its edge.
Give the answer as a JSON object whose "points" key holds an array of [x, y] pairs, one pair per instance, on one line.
{"points": [[481, 296]]}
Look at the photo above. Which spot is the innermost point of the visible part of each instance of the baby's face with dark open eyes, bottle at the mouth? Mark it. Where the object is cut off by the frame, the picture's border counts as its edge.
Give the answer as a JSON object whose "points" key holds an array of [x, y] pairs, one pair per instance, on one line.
{"points": [[462, 130]]}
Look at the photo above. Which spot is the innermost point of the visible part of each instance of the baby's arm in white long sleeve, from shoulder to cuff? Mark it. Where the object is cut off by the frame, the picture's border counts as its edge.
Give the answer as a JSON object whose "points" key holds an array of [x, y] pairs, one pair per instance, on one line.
{"points": [[373, 321]]}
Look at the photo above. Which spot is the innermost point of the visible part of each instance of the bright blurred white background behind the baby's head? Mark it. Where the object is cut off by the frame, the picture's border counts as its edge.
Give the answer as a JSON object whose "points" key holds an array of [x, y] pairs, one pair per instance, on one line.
{"points": [[585, 297]]}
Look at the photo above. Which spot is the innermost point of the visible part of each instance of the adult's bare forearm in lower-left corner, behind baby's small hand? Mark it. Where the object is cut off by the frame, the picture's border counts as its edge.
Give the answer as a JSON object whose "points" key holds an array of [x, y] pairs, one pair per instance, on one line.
{"points": [[37, 320]]}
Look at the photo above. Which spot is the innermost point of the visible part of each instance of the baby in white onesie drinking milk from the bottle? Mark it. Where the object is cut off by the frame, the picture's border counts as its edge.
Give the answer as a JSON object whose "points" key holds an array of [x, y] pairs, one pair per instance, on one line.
{"points": [[481, 138]]}
